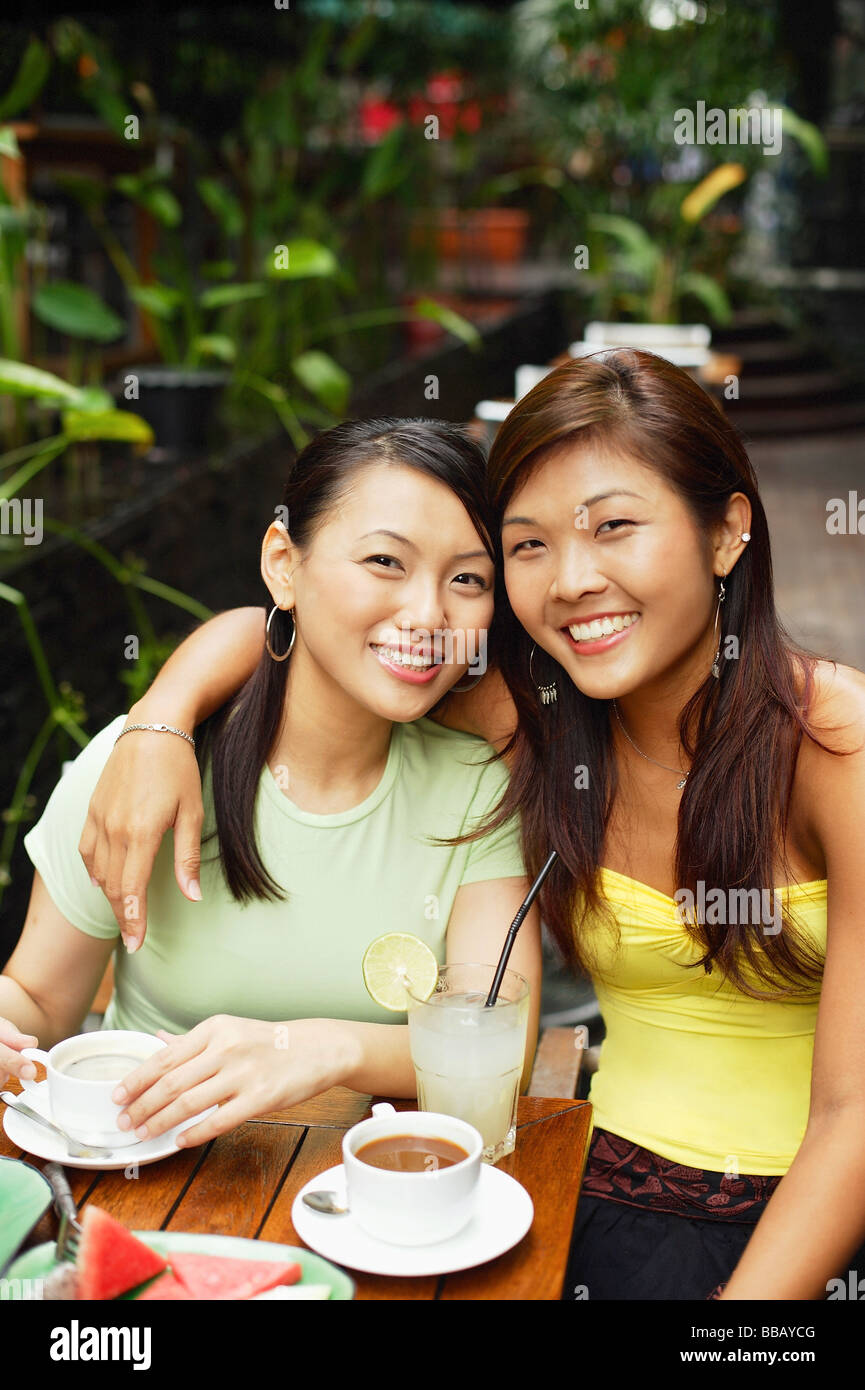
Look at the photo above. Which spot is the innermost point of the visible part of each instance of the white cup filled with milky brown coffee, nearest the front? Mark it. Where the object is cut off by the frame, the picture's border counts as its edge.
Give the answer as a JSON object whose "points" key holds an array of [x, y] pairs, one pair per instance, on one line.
{"points": [[412, 1209]]}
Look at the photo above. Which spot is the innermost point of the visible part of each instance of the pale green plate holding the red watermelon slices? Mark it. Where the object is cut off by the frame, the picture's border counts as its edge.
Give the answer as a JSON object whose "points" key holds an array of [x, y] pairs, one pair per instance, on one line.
{"points": [[40, 1261]]}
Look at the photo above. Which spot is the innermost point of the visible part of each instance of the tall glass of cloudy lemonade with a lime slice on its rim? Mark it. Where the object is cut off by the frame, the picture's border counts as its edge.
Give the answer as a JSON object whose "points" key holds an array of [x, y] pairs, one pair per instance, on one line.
{"points": [[468, 1058]]}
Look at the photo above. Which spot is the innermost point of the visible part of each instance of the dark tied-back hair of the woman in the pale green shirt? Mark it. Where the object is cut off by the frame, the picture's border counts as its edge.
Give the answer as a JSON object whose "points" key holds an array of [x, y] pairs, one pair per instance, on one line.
{"points": [[237, 740]]}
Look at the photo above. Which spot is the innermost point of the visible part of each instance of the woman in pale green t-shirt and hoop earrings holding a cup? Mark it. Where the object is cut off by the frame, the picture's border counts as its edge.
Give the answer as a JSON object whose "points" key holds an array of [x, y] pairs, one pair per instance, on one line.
{"points": [[328, 790]]}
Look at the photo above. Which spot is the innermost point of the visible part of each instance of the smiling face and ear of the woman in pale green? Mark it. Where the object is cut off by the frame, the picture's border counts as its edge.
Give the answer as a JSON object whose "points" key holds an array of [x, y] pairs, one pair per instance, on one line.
{"points": [[393, 597]]}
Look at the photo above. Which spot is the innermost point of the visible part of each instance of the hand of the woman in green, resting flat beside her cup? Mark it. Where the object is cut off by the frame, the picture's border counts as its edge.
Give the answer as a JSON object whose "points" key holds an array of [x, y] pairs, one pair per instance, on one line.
{"points": [[245, 1067]]}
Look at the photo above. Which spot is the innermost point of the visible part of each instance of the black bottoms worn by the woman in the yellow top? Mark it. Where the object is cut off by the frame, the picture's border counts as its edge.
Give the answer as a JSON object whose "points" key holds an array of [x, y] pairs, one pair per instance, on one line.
{"points": [[622, 1252]]}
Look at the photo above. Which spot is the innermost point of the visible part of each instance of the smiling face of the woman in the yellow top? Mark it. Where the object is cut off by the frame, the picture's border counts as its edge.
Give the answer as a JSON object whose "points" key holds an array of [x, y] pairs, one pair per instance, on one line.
{"points": [[608, 571]]}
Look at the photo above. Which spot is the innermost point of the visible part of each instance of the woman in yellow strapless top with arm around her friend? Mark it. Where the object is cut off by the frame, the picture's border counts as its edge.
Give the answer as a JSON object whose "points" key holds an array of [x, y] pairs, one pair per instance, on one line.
{"points": [[704, 785]]}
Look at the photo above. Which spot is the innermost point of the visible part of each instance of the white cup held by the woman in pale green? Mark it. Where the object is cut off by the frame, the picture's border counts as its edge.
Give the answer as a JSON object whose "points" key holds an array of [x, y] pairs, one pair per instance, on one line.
{"points": [[83, 1106]]}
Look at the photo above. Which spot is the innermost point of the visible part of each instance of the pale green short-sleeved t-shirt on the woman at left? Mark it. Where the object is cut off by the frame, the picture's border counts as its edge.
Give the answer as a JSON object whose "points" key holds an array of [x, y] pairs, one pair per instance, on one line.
{"points": [[350, 878]]}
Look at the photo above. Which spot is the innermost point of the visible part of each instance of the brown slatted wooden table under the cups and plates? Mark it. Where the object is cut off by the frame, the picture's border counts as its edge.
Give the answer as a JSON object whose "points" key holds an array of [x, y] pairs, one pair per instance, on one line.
{"points": [[244, 1184]]}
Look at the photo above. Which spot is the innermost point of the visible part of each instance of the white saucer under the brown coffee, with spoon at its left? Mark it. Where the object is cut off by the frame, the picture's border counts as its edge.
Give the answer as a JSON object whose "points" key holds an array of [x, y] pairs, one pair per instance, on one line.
{"points": [[504, 1216]]}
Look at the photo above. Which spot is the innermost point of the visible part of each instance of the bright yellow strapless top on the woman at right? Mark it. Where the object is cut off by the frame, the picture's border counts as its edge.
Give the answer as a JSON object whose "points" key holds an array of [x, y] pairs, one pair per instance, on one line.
{"points": [[693, 1068]]}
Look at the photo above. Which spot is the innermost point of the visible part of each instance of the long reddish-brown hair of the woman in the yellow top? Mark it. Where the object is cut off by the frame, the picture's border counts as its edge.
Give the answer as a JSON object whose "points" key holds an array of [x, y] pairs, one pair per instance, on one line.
{"points": [[742, 732]]}
